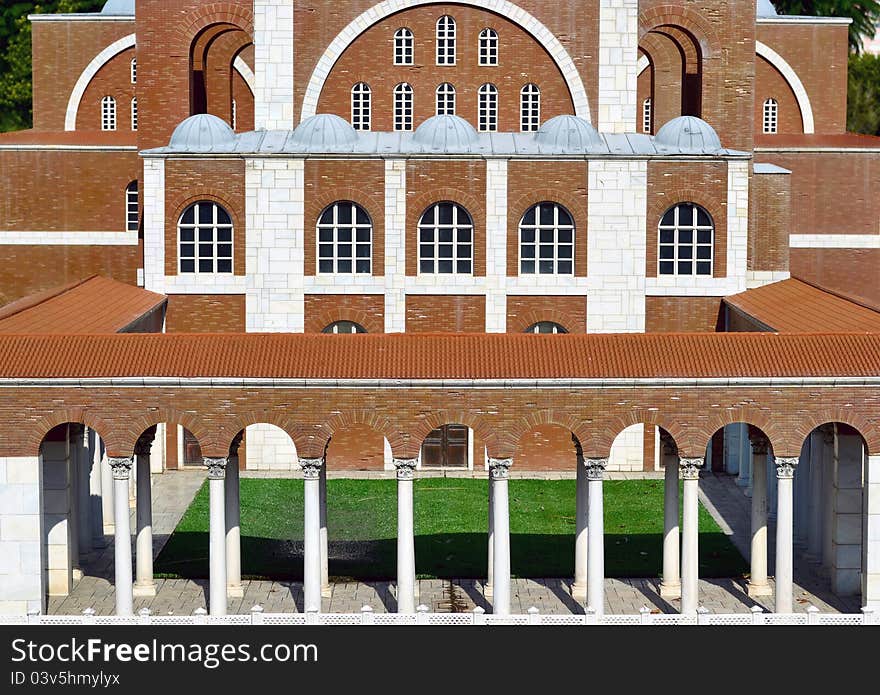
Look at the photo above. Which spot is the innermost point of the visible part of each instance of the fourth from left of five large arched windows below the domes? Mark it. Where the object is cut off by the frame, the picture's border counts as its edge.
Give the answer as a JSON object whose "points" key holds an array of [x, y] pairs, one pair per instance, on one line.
{"points": [[546, 241]]}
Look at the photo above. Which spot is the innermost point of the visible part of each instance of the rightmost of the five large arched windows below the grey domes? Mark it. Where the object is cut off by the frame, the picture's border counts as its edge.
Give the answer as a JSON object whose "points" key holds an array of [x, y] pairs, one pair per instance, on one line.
{"points": [[686, 240]]}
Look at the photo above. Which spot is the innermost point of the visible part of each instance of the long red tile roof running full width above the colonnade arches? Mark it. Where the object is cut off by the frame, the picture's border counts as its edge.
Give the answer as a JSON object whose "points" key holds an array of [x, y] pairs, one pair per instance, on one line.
{"points": [[462, 356]]}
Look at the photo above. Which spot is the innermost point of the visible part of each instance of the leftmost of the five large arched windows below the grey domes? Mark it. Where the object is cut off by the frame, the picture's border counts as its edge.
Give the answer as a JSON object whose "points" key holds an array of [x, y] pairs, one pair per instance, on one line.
{"points": [[205, 239]]}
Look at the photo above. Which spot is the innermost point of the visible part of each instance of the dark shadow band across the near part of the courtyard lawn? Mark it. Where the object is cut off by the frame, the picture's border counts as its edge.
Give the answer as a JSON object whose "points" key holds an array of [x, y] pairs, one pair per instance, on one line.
{"points": [[445, 556]]}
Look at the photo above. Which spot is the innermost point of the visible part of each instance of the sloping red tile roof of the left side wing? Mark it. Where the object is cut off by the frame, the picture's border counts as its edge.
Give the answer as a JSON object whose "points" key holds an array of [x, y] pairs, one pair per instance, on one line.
{"points": [[94, 305]]}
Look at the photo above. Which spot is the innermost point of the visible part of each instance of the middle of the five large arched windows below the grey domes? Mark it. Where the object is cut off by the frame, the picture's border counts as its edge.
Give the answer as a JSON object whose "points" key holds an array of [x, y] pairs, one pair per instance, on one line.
{"points": [[446, 234]]}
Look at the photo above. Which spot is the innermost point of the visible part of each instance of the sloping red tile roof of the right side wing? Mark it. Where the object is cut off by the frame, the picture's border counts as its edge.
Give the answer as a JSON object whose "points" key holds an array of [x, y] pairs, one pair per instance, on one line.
{"points": [[793, 306]]}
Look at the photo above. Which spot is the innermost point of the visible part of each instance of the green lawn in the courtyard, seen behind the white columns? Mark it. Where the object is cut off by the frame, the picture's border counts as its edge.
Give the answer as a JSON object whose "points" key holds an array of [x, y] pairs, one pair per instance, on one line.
{"points": [[450, 523]]}
